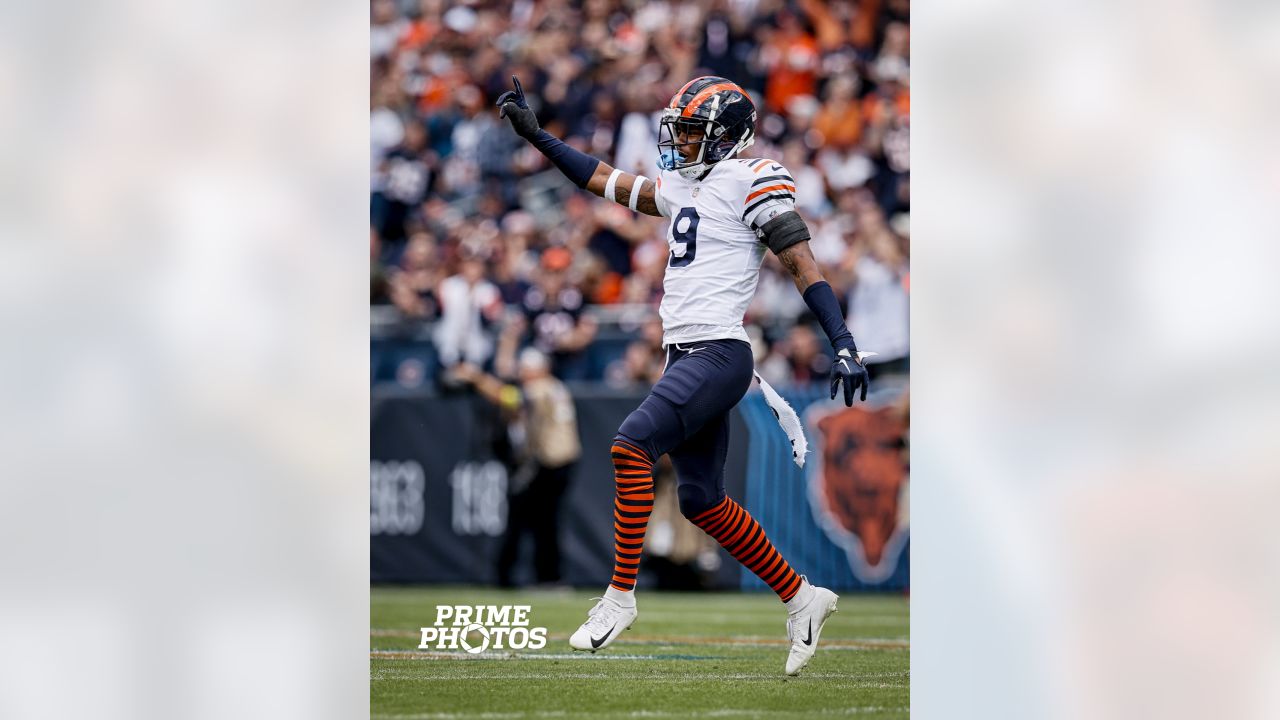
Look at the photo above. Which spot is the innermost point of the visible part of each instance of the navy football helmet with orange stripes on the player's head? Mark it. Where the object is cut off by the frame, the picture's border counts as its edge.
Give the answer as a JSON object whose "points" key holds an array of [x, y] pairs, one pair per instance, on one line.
{"points": [[708, 121]]}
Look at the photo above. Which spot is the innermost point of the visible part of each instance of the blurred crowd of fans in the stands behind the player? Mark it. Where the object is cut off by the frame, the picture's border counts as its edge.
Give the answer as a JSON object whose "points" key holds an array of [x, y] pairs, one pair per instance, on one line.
{"points": [[482, 245]]}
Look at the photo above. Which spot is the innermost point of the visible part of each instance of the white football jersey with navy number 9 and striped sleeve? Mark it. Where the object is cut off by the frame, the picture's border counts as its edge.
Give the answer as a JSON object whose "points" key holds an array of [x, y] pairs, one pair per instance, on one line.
{"points": [[716, 252]]}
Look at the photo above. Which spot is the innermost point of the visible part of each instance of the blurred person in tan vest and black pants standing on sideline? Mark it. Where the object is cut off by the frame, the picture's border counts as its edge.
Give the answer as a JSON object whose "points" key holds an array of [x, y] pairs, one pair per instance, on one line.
{"points": [[542, 414]]}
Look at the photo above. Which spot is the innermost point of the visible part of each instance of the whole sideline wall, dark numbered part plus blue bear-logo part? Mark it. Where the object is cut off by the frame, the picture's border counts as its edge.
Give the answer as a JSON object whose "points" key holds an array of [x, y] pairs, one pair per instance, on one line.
{"points": [[440, 479]]}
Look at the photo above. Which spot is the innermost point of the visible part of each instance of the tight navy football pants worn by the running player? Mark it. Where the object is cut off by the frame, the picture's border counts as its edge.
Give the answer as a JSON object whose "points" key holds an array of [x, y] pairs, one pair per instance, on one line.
{"points": [[687, 417]]}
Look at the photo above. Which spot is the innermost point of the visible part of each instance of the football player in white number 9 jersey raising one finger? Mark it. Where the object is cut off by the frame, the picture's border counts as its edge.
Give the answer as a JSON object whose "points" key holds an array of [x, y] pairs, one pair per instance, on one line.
{"points": [[725, 213]]}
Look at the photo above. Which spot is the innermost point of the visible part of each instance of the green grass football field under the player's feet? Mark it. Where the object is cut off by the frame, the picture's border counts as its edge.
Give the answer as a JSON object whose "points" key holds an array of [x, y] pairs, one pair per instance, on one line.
{"points": [[689, 655]]}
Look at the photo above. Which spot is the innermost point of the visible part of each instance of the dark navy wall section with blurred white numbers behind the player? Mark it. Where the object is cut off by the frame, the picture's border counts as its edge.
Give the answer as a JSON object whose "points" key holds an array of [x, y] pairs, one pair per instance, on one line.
{"points": [[438, 490]]}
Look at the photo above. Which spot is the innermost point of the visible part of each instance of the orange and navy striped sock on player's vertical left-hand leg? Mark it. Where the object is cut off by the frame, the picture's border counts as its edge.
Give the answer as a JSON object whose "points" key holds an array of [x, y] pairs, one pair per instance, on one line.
{"points": [[633, 472]]}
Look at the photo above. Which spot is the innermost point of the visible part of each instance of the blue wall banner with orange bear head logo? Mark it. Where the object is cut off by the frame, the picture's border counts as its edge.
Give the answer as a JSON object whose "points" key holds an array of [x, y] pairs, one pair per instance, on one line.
{"points": [[844, 518]]}
